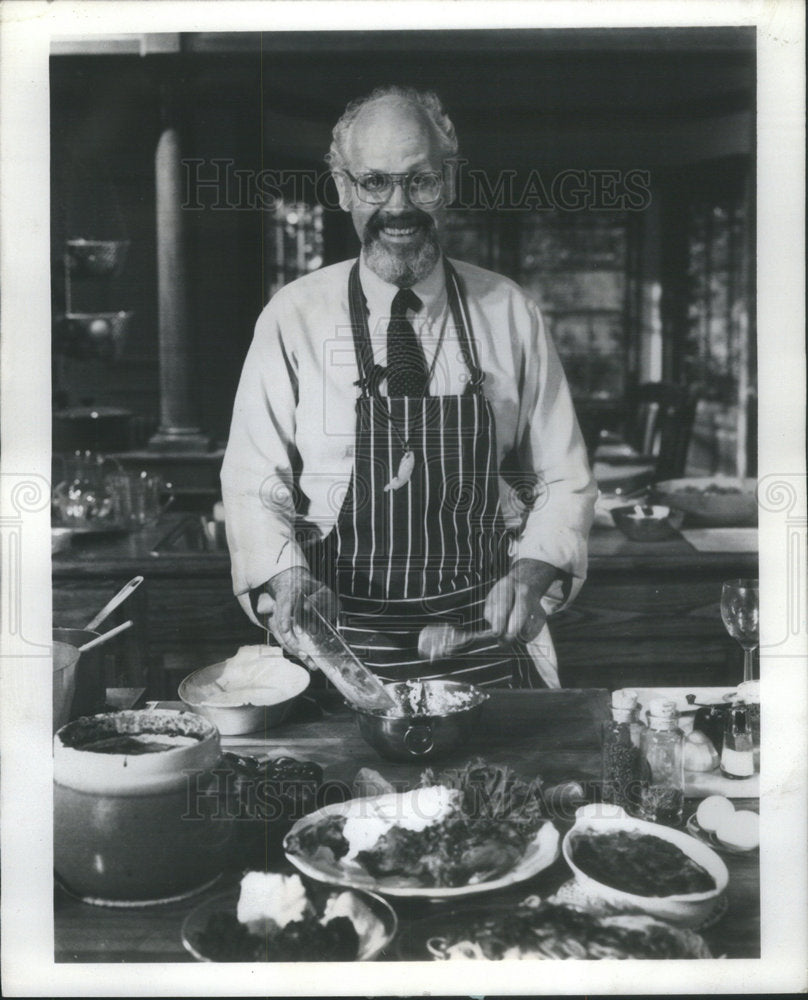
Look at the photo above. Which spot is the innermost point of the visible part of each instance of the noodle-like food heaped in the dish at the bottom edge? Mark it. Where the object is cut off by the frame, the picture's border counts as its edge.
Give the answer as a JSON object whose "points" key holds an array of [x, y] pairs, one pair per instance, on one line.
{"points": [[551, 930]]}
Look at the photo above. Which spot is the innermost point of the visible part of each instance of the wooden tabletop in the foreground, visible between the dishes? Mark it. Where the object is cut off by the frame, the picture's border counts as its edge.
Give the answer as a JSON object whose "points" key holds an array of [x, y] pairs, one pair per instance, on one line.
{"points": [[551, 734]]}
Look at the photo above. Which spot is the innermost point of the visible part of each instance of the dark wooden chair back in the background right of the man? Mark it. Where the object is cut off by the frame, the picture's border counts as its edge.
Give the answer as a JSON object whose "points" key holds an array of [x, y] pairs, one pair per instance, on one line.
{"points": [[660, 424]]}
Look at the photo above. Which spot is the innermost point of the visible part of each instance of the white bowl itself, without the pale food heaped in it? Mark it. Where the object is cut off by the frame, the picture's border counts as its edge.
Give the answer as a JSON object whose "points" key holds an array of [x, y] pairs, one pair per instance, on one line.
{"points": [[234, 720]]}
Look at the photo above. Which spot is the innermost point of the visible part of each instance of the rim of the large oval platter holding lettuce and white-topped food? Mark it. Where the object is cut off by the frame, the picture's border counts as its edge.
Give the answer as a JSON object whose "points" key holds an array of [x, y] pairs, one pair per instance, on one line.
{"points": [[539, 854]]}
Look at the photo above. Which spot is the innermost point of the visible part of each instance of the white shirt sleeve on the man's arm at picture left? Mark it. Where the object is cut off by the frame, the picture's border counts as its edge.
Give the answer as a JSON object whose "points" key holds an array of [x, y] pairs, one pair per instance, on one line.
{"points": [[257, 480]]}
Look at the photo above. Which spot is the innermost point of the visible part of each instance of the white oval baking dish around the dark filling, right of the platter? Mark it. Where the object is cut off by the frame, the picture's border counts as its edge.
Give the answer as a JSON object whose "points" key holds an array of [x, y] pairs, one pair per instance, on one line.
{"points": [[686, 909]]}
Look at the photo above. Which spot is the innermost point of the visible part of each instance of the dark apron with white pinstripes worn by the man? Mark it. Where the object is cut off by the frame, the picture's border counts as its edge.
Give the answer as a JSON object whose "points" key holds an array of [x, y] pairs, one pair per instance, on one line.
{"points": [[429, 551]]}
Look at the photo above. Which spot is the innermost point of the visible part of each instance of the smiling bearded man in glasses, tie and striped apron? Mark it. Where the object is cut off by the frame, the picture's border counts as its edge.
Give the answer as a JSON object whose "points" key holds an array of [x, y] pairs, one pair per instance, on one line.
{"points": [[411, 414]]}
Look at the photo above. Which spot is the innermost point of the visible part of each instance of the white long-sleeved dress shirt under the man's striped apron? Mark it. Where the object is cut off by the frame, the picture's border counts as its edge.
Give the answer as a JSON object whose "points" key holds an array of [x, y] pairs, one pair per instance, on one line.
{"points": [[294, 417]]}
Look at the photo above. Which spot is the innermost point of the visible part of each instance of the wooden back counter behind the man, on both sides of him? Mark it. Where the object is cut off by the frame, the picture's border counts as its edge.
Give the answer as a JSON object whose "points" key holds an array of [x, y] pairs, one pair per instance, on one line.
{"points": [[648, 612]]}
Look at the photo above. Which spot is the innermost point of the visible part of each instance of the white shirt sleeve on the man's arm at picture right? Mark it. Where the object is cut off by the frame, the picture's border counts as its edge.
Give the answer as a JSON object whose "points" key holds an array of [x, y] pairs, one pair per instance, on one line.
{"points": [[557, 525]]}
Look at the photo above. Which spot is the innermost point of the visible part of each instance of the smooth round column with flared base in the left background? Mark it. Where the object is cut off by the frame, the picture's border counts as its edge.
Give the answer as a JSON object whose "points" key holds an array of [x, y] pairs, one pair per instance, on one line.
{"points": [[178, 430]]}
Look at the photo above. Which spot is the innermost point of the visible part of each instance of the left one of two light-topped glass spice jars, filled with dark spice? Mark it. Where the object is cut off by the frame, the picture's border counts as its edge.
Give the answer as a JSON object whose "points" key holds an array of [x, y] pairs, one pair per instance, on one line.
{"points": [[621, 755]]}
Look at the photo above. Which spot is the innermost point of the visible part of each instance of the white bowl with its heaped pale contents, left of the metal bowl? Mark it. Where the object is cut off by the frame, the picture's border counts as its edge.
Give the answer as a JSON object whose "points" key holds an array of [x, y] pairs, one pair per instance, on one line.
{"points": [[255, 689]]}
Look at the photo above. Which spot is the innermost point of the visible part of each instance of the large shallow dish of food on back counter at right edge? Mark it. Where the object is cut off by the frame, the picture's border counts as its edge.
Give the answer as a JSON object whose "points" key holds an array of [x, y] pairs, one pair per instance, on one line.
{"points": [[712, 501]]}
